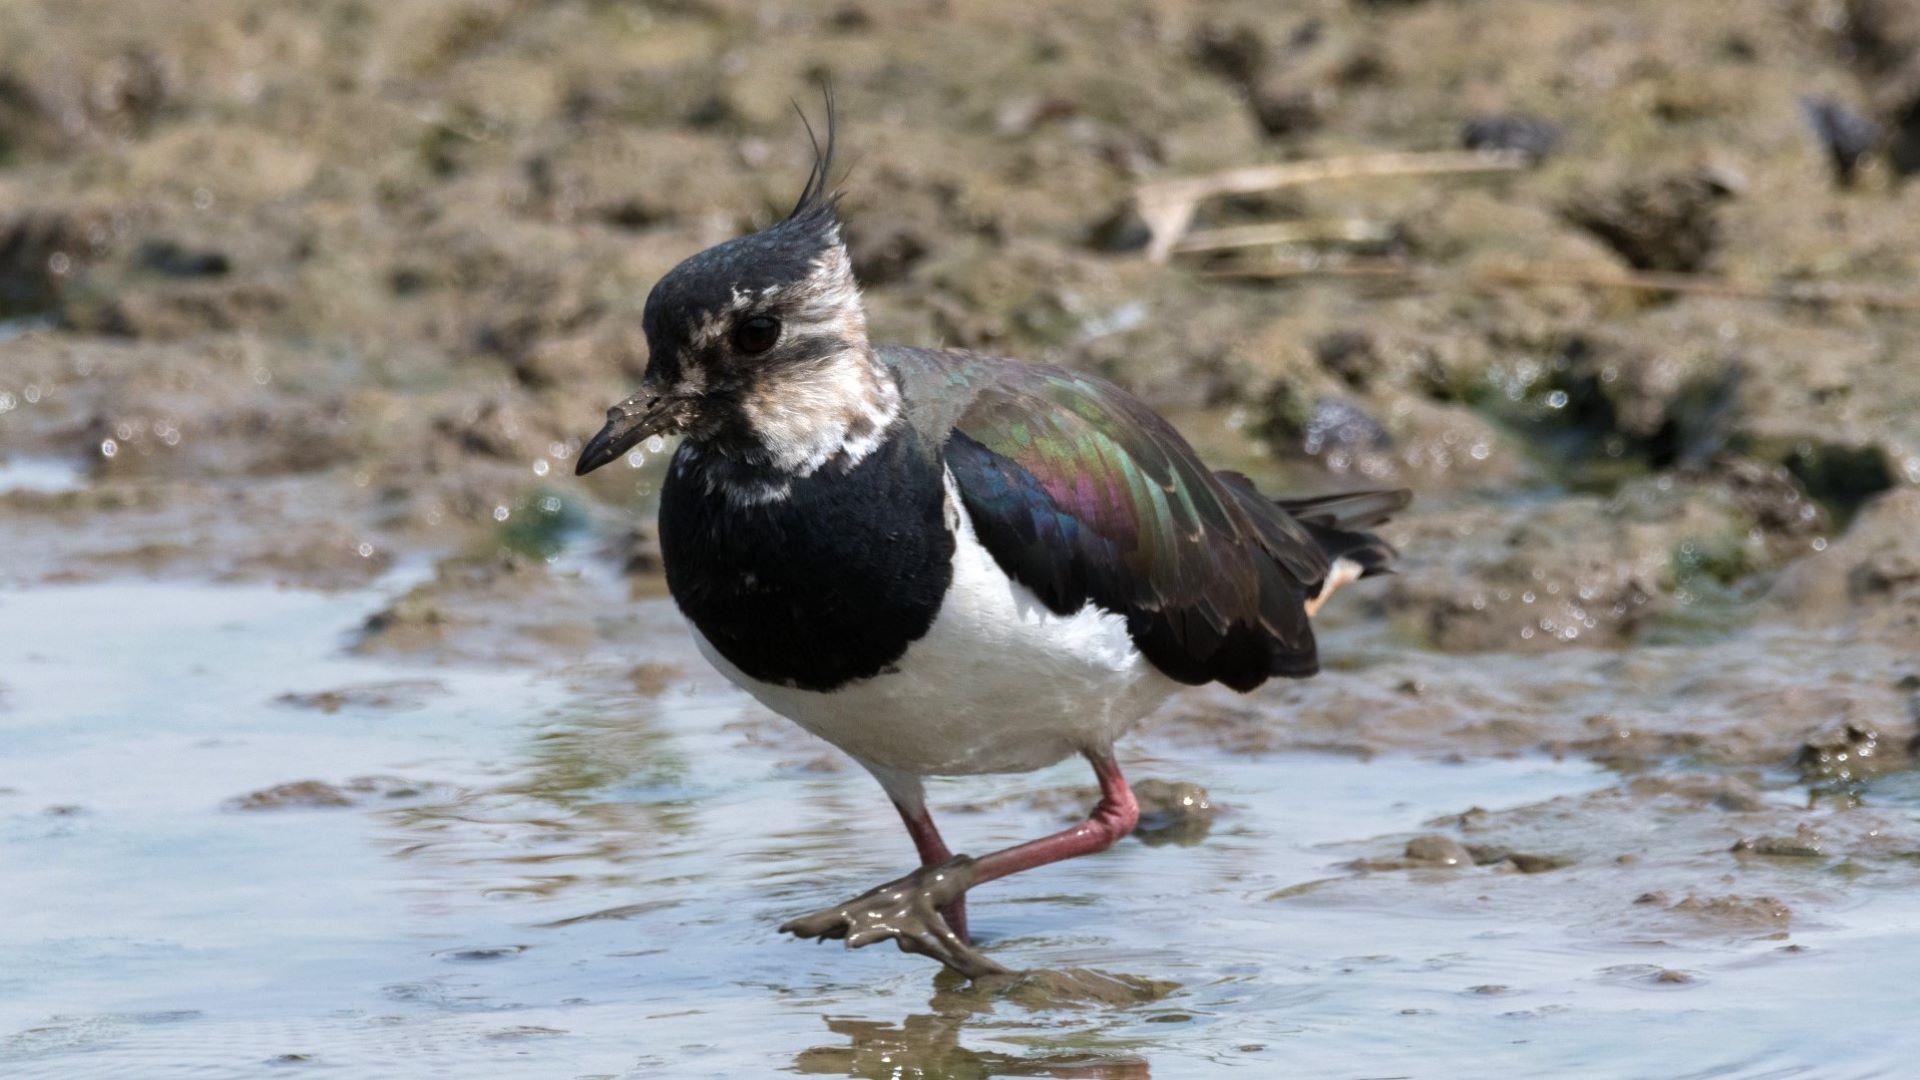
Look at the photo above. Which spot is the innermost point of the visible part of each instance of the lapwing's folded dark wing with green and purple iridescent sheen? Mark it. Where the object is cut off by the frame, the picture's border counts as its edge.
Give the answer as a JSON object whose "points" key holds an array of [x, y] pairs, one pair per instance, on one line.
{"points": [[1088, 497]]}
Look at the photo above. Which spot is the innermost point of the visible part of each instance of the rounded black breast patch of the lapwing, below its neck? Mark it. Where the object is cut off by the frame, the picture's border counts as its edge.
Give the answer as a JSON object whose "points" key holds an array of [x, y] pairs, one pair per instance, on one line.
{"points": [[821, 587]]}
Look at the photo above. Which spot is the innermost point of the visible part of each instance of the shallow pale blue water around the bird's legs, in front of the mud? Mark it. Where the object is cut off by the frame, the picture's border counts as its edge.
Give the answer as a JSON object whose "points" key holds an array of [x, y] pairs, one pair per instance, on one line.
{"points": [[565, 881]]}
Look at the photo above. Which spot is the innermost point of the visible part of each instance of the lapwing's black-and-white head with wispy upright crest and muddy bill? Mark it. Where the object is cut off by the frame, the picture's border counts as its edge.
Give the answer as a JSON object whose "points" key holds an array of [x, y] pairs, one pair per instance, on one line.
{"points": [[757, 347]]}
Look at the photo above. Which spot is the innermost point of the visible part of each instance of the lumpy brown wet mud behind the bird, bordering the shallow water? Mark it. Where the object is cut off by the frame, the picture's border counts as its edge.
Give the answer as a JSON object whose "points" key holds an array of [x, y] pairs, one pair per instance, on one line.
{"points": [[310, 293]]}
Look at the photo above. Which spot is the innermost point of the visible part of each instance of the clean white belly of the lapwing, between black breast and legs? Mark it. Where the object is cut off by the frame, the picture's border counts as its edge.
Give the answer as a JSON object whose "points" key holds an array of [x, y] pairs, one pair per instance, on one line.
{"points": [[997, 685]]}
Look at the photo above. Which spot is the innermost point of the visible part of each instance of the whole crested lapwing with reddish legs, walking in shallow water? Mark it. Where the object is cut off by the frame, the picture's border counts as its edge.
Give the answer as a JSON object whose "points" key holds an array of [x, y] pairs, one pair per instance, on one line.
{"points": [[949, 564]]}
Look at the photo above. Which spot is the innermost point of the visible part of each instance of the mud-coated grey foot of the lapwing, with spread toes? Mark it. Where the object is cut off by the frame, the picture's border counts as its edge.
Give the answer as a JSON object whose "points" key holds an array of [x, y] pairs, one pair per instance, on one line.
{"points": [[909, 912]]}
